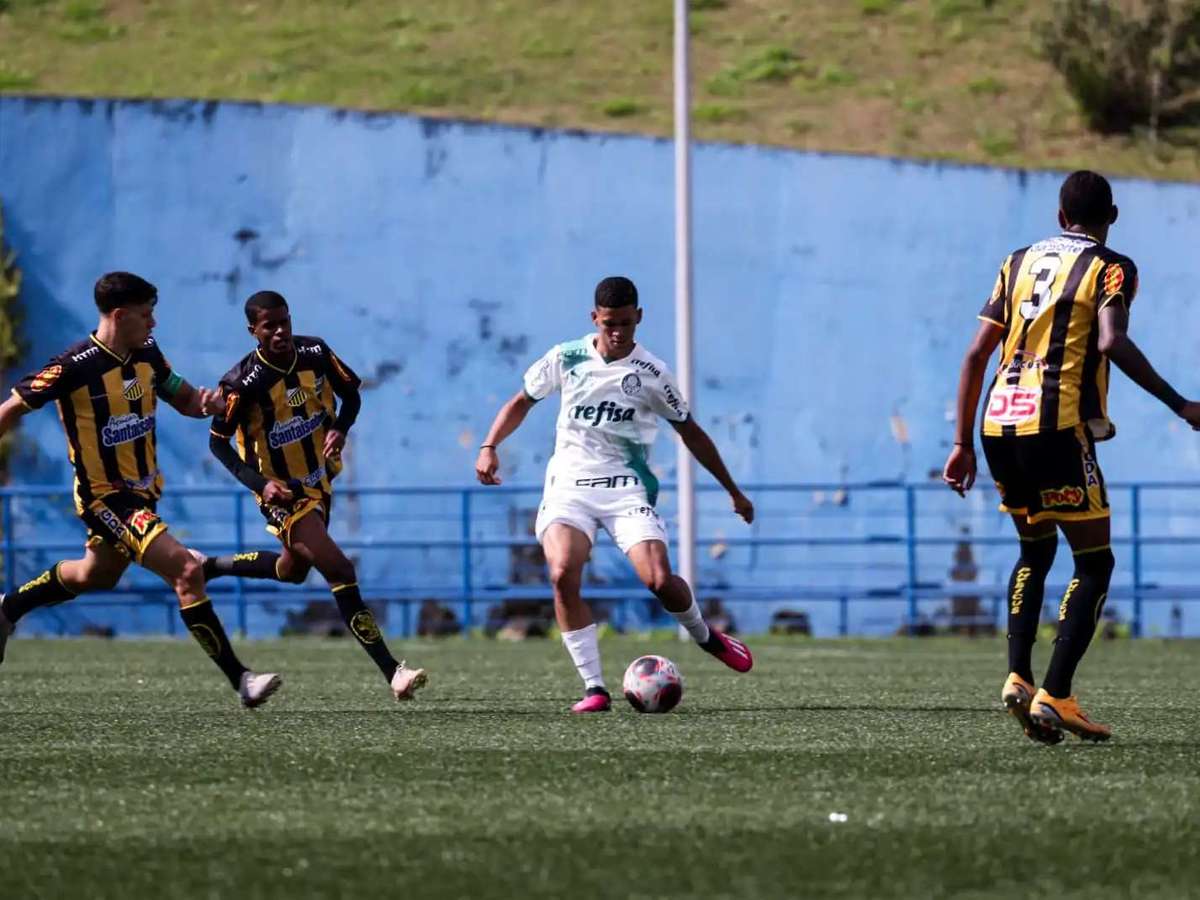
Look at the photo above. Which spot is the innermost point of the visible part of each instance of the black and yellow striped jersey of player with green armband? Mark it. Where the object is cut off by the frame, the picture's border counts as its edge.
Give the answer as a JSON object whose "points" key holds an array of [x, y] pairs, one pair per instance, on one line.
{"points": [[107, 405]]}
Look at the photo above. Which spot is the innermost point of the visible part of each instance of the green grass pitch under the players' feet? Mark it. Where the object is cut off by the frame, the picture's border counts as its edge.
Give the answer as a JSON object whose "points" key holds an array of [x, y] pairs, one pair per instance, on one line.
{"points": [[129, 771]]}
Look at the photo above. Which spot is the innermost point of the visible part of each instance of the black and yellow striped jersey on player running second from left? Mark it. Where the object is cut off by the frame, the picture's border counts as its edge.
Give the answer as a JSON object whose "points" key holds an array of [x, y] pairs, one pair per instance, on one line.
{"points": [[280, 416]]}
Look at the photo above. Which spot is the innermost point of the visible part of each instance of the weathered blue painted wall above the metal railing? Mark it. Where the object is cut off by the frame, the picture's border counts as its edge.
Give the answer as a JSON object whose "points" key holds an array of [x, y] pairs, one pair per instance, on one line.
{"points": [[835, 295]]}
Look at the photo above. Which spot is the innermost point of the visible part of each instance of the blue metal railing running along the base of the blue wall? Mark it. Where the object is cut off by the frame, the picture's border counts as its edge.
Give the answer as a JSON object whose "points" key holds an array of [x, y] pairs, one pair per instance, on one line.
{"points": [[897, 543]]}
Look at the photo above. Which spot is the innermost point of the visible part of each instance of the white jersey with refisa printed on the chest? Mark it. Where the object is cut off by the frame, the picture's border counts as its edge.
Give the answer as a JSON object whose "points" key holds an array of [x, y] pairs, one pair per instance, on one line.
{"points": [[609, 417]]}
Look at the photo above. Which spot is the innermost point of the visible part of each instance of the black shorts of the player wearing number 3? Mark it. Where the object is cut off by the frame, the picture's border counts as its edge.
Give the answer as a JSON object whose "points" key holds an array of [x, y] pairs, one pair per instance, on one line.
{"points": [[1048, 477]]}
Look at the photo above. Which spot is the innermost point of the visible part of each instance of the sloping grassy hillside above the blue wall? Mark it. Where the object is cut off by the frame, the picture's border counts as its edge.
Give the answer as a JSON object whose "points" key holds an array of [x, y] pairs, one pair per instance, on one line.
{"points": [[959, 80]]}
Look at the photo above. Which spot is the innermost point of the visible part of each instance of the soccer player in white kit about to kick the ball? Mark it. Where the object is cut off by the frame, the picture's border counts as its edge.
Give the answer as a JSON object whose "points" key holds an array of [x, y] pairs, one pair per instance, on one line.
{"points": [[614, 394]]}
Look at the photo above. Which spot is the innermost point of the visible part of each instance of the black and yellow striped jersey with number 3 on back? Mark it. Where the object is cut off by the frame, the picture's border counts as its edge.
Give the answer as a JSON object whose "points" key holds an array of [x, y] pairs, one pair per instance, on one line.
{"points": [[1048, 299]]}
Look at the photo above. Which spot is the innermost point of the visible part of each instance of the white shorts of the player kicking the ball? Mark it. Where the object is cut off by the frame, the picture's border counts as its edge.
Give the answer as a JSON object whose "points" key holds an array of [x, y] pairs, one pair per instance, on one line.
{"points": [[626, 514]]}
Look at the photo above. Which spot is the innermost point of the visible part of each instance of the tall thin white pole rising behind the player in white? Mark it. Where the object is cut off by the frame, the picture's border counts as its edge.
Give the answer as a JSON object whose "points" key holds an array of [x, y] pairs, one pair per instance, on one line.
{"points": [[683, 292]]}
